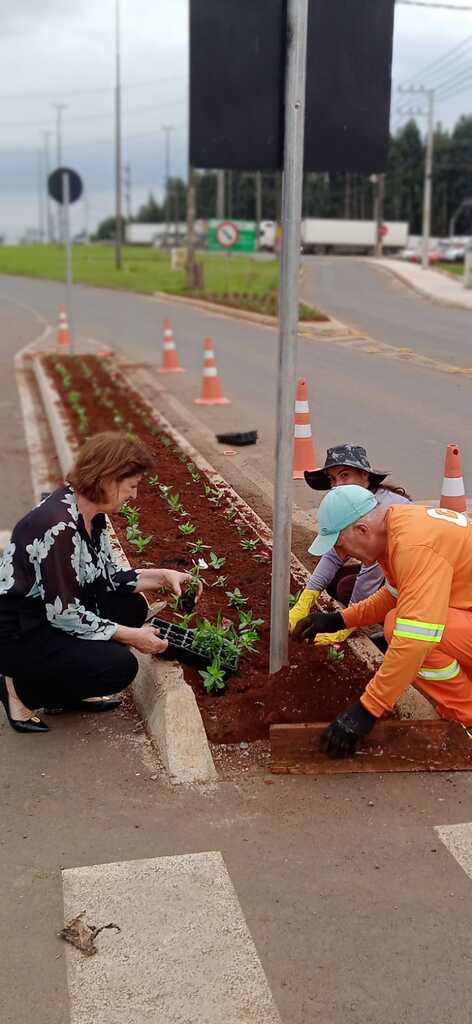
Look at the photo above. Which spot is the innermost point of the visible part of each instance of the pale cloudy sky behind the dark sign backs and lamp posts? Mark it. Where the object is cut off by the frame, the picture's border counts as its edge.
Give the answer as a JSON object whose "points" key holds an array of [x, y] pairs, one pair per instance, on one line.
{"points": [[62, 52]]}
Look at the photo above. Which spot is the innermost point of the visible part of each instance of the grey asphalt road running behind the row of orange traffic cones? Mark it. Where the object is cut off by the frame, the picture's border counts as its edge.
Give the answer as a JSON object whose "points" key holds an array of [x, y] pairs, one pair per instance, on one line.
{"points": [[404, 413]]}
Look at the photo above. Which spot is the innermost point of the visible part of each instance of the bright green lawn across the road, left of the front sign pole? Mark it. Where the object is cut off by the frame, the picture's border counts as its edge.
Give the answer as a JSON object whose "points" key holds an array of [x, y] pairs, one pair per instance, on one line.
{"points": [[237, 281]]}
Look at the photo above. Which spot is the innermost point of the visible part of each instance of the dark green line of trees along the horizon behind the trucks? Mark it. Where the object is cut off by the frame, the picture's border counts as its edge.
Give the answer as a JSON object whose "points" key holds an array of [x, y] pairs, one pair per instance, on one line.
{"points": [[342, 195]]}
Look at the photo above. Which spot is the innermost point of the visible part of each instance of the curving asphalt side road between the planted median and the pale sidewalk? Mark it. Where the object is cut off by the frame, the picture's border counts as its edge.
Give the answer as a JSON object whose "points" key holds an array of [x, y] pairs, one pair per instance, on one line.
{"points": [[374, 301]]}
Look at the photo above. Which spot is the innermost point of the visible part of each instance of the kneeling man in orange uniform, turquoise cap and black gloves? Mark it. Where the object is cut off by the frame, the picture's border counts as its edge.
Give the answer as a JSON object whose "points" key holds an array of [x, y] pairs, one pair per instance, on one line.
{"points": [[426, 606]]}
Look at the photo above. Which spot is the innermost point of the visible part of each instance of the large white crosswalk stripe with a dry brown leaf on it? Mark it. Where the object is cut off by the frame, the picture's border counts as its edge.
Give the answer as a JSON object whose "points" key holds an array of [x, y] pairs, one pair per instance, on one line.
{"points": [[184, 955]]}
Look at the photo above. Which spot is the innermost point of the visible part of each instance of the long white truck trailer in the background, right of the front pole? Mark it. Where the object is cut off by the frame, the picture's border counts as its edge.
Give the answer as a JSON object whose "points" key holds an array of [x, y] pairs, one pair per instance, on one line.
{"points": [[325, 236]]}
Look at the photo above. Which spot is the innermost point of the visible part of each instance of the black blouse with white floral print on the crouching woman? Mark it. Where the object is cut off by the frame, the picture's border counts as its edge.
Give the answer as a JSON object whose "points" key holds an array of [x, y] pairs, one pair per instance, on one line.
{"points": [[54, 572]]}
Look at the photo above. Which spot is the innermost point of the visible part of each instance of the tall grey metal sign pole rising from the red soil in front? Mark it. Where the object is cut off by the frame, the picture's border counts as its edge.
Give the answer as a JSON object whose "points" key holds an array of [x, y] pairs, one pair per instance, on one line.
{"points": [[297, 26]]}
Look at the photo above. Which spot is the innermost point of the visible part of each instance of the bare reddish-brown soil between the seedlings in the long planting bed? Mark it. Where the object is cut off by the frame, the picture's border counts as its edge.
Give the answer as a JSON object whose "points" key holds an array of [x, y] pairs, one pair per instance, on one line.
{"points": [[311, 690]]}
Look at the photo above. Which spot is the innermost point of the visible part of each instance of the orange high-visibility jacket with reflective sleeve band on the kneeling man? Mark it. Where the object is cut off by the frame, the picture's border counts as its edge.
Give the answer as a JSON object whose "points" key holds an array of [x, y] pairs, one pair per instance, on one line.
{"points": [[428, 570]]}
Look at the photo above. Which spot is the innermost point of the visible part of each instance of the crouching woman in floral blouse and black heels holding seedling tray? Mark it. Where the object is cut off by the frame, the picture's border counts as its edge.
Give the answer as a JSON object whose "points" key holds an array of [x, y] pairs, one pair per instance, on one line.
{"points": [[69, 614]]}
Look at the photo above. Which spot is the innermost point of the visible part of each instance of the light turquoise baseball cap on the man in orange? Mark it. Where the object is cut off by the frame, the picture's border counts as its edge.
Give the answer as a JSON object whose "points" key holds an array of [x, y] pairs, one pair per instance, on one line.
{"points": [[340, 508]]}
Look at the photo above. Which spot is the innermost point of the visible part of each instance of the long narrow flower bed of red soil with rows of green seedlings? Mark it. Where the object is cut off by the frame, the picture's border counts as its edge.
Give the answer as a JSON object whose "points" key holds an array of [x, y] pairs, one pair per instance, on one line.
{"points": [[183, 518]]}
